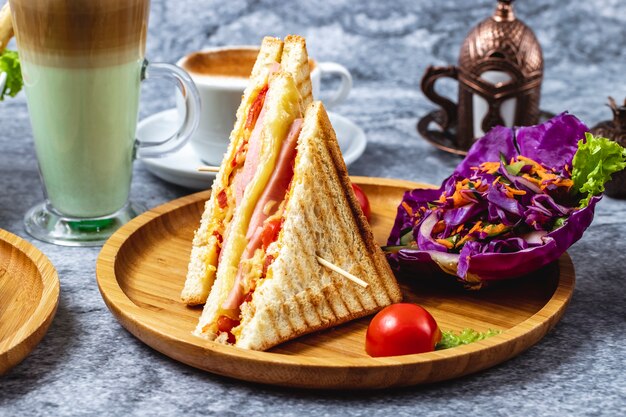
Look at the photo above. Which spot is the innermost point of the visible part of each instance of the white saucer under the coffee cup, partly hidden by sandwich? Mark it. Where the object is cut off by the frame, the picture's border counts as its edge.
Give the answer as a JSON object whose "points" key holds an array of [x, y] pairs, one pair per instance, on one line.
{"points": [[181, 167]]}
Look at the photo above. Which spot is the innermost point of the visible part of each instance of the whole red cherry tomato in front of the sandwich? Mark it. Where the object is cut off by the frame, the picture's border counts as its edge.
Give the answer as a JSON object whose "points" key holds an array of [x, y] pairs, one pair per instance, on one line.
{"points": [[401, 329]]}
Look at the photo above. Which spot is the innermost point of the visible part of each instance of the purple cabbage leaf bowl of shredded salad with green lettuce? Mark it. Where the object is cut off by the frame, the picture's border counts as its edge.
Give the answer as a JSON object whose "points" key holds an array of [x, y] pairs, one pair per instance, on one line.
{"points": [[518, 200]]}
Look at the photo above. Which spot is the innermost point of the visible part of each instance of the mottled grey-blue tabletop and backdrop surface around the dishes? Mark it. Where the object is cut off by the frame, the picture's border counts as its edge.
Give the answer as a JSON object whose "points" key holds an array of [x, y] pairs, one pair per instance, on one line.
{"points": [[88, 364]]}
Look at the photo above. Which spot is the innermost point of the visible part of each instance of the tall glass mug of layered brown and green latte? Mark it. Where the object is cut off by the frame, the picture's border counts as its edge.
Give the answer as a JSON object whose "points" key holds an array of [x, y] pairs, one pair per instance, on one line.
{"points": [[82, 63]]}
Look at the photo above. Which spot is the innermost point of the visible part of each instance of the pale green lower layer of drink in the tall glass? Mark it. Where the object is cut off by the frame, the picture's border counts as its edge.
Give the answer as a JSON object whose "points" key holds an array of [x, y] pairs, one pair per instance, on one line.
{"points": [[84, 142]]}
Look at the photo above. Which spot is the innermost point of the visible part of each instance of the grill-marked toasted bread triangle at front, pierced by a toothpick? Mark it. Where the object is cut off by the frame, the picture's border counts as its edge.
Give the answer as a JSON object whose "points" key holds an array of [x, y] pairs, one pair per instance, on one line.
{"points": [[322, 217]]}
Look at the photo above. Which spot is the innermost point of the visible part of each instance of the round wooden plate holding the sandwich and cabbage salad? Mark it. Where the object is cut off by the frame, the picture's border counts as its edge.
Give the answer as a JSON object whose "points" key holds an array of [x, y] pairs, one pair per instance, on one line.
{"points": [[141, 271]]}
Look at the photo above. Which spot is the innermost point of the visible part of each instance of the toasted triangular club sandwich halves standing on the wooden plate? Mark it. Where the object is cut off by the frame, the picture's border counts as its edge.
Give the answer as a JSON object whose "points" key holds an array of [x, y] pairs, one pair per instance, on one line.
{"points": [[286, 203]]}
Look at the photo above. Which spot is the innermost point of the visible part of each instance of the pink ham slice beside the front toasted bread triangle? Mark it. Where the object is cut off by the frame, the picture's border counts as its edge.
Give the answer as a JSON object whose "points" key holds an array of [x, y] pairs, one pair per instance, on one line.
{"points": [[275, 190]]}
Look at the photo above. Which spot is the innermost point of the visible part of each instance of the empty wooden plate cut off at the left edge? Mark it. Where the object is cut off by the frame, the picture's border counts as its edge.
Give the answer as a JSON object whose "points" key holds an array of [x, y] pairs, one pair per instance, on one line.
{"points": [[29, 294]]}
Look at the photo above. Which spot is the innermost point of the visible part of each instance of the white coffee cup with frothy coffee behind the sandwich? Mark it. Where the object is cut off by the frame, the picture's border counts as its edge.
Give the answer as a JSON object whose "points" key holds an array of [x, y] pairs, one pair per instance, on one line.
{"points": [[221, 75]]}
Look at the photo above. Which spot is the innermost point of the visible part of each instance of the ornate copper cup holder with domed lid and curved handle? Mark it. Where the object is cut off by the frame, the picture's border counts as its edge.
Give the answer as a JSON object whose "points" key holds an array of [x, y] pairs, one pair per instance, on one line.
{"points": [[499, 73]]}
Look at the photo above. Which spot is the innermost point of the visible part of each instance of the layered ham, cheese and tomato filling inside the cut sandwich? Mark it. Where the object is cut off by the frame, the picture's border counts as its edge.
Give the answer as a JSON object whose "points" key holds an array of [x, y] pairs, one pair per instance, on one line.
{"points": [[254, 254]]}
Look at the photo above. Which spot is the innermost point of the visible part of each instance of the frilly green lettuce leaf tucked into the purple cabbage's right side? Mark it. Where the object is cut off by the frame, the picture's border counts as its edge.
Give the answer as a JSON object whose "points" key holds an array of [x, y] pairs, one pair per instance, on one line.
{"points": [[594, 162]]}
